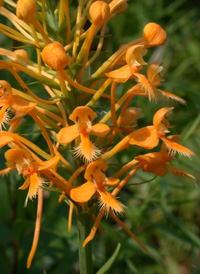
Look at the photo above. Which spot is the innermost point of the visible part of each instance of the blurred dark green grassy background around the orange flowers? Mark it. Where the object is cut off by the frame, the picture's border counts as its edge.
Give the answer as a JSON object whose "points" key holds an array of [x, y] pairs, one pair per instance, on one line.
{"points": [[164, 213]]}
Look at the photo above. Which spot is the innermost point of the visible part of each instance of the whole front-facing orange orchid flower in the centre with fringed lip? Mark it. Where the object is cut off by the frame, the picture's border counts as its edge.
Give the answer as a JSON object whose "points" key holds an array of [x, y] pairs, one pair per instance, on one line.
{"points": [[83, 116]]}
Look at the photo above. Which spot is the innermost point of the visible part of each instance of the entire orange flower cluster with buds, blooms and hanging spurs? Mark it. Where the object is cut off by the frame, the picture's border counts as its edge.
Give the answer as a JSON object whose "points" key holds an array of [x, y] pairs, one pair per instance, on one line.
{"points": [[80, 133]]}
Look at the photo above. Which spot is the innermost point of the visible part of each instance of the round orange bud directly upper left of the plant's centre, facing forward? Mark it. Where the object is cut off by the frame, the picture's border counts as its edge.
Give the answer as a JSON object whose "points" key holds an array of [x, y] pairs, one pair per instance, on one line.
{"points": [[54, 56]]}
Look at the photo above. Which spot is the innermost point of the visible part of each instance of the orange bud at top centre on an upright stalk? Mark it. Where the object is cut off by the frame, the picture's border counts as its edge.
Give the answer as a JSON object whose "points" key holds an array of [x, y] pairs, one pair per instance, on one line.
{"points": [[99, 12]]}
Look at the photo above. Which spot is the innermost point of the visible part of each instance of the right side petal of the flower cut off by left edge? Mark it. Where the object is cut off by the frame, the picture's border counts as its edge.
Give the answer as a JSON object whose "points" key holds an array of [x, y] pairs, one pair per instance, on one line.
{"points": [[21, 105]]}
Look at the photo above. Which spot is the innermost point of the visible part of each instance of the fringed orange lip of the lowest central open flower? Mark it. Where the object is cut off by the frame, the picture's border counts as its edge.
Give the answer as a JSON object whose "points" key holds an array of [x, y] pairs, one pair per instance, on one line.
{"points": [[107, 202]]}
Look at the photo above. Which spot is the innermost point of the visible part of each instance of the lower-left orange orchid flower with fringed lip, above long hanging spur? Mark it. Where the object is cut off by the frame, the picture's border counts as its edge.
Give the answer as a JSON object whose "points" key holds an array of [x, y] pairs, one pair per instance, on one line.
{"points": [[20, 159]]}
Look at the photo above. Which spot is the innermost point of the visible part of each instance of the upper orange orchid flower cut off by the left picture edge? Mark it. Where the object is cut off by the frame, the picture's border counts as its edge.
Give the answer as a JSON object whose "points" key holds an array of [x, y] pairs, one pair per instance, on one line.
{"points": [[17, 104]]}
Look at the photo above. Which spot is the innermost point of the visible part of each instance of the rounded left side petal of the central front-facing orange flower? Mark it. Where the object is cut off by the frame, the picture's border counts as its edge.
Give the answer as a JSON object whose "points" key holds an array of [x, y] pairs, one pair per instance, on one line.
{"points": [[67, 134]]}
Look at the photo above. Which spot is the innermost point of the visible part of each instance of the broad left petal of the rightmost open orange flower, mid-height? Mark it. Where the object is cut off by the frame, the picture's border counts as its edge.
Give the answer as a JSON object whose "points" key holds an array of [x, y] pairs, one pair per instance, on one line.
{"points": [[145, 137]]}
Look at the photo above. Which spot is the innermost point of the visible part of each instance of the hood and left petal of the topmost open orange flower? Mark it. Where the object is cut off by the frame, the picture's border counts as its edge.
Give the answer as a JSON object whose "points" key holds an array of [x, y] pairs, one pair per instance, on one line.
{"points": [[134, 63]]}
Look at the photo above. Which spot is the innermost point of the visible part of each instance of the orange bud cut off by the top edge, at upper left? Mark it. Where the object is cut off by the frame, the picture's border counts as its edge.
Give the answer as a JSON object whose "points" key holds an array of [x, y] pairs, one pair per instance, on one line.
{"points": [[26, 10]]}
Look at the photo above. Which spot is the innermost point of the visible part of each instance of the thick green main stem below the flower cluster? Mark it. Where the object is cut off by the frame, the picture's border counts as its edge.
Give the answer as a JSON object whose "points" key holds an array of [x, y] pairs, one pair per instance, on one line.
{"points": [[85, 253]]}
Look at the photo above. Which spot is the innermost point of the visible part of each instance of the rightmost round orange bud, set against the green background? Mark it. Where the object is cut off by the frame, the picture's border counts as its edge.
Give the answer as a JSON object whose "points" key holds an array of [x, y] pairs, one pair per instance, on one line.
{"points": [[154, 35]]}
